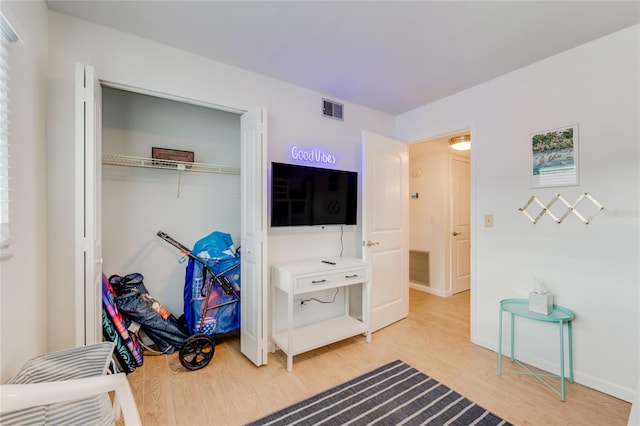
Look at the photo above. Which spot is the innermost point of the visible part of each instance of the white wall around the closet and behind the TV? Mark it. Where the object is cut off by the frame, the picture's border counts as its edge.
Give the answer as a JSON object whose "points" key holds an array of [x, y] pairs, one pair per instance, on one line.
{"points": [[294, 117]]}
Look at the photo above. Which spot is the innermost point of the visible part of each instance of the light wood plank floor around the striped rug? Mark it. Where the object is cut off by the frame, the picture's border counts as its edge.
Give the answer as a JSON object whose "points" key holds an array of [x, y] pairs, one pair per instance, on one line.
{"points": [[434, 339]]}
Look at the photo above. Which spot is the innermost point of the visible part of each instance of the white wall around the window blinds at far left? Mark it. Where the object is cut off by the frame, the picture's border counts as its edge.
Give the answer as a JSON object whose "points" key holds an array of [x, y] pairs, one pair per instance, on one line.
{"points": [[23, 277]]}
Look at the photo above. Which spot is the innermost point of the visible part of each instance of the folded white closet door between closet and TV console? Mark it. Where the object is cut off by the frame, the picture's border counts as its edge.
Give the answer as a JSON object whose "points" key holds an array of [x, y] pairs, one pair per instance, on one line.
{"points": [[253, 230]]}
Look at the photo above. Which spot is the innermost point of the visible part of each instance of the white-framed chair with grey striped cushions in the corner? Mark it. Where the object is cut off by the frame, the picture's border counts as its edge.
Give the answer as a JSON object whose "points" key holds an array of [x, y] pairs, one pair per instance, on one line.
{"points": [[68, 387]]}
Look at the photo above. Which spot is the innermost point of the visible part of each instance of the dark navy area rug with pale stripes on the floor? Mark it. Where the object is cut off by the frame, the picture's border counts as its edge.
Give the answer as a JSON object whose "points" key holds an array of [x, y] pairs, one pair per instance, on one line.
{"points": [[394, 394]]}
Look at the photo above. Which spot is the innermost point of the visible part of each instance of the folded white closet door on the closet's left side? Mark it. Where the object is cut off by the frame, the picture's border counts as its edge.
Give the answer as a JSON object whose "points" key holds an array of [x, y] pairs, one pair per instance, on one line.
{"points": [[88, 199]]}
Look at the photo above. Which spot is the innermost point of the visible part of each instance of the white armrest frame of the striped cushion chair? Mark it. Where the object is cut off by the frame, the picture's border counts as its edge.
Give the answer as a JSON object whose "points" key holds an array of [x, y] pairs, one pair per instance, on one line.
{"points": [[17, 397]]}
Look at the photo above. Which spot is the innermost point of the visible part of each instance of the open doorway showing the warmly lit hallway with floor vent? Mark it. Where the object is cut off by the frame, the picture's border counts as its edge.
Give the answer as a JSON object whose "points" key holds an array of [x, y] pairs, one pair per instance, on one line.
{"points": [[440, 203]]}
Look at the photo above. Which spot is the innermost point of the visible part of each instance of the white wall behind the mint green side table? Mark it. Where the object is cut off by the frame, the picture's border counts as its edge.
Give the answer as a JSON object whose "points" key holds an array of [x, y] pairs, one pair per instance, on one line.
{"points": [[592, 269]]}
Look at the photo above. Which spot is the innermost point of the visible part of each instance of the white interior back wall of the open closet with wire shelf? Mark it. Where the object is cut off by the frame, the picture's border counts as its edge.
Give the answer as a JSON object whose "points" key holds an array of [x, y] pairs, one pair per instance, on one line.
{"points": [[141, 197]]}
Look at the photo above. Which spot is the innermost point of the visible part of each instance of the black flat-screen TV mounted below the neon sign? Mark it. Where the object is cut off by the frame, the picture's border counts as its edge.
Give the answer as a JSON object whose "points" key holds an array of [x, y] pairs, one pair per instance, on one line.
{"points": [[309, 196]]}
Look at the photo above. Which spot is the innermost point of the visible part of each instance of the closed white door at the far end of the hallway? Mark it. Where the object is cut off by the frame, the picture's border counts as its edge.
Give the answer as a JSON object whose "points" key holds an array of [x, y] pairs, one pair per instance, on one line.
{"points": [[461, 228]]}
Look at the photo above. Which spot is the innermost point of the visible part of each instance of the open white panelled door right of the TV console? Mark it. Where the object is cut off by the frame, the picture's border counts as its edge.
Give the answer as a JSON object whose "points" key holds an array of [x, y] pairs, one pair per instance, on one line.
{"points": [[385, 222]]}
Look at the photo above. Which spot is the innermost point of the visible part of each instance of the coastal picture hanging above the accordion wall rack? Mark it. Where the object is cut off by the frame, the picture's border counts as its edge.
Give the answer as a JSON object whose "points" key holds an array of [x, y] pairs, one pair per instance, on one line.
{"points": [[554, 157]]}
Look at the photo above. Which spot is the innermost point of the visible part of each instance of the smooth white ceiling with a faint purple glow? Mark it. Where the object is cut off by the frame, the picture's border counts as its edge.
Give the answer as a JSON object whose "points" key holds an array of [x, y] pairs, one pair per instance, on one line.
{"points": [[391, 56]]}
